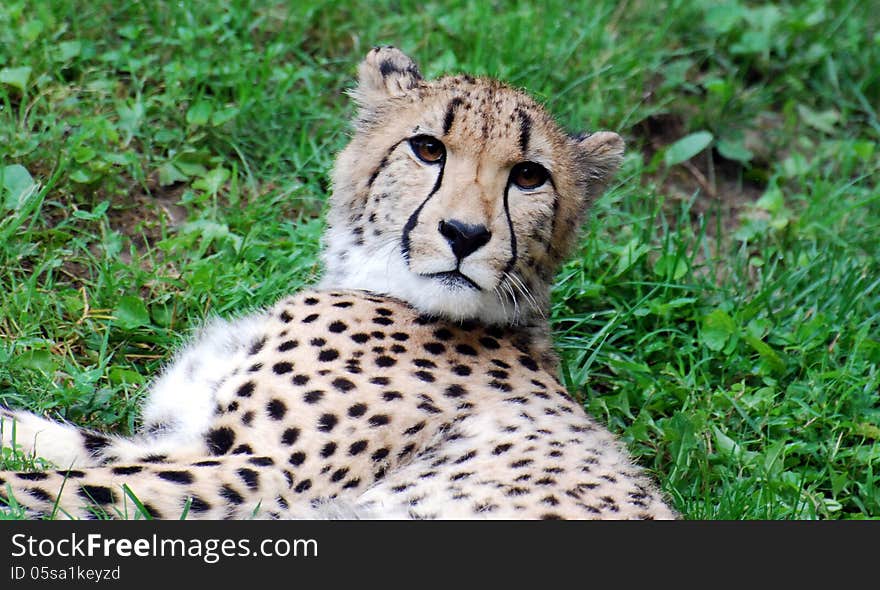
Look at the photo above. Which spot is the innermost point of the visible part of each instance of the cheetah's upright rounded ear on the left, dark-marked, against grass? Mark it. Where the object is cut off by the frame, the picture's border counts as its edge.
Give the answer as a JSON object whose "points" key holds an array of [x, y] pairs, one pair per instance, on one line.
{"points": [[386, 72]]}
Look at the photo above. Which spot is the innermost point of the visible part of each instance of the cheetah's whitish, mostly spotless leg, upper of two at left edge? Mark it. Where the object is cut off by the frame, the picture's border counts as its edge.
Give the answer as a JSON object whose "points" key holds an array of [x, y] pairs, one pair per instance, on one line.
{"points": [[68, 446]]}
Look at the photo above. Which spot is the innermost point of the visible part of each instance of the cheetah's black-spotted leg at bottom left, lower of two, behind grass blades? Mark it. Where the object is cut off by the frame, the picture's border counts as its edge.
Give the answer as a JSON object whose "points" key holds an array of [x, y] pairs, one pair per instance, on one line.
{"points": [[228, 487]]}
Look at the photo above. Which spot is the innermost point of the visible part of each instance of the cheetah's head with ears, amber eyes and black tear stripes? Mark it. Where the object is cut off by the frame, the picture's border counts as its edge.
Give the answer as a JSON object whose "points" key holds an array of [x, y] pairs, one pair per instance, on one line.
{"points": [[459, 195]]}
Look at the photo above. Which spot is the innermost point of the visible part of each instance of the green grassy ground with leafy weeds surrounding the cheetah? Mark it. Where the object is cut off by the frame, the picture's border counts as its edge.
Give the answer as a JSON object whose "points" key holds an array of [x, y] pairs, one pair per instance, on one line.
{"points": [[160, 162]]}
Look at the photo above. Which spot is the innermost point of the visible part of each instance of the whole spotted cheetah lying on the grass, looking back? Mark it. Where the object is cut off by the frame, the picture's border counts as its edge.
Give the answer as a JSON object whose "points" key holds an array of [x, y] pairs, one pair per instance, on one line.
{"points": [[417, 380]]}
